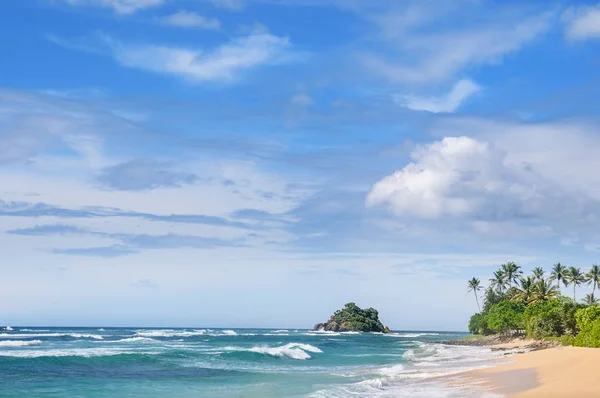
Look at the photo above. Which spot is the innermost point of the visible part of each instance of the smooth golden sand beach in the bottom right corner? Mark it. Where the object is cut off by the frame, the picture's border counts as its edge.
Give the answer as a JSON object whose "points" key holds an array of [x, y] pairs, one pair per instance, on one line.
{"points": [[553, 372]]}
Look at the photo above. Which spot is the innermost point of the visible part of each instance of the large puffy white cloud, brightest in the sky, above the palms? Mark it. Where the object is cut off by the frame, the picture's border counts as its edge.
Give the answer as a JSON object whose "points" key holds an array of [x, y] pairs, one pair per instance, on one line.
{"points": [[462, 177]]}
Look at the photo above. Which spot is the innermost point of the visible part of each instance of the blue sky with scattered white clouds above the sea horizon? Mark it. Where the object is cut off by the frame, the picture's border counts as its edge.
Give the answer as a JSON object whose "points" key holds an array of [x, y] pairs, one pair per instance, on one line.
{"points": [[259, 163]]}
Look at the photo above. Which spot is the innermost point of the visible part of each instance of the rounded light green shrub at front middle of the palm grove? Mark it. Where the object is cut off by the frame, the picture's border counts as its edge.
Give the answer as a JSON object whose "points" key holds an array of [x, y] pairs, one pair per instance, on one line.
{"points": [[544, 319]]}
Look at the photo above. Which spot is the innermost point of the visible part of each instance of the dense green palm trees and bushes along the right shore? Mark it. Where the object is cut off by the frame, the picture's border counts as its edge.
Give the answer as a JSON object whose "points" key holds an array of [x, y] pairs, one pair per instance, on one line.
{"points": [[532, 305]]}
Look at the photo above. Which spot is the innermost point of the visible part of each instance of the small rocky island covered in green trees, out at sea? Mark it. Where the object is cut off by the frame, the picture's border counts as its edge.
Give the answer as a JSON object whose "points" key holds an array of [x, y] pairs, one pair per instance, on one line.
{"points": [[355, 319]]}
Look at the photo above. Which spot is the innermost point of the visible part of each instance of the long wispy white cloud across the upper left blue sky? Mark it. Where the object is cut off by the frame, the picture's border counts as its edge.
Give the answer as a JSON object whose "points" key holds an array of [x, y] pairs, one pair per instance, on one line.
{"points": [[224, 63]]}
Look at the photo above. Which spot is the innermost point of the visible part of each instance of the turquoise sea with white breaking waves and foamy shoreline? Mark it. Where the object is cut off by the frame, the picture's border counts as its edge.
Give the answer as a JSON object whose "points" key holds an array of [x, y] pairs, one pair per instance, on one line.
{"points": [[119, 362]]}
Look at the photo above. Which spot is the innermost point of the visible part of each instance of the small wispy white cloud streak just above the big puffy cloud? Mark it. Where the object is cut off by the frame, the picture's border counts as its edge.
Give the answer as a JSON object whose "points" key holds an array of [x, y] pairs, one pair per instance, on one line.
{"points": [[447, 103]]}
